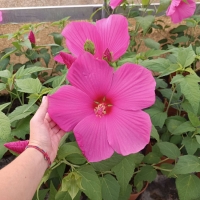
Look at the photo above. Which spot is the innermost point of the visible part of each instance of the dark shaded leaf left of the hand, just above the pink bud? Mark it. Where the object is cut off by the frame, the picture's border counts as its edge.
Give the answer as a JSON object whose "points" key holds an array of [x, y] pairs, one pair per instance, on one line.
{"points": [[22, 128]]}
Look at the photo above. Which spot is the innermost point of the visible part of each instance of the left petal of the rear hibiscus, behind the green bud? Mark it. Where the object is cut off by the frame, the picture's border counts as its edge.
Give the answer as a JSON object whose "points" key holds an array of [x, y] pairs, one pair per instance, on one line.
{"points": [[77, 33]]}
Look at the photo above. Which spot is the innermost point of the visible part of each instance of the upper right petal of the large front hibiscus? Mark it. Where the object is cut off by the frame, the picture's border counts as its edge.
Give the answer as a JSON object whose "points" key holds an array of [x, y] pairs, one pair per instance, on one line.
{"points": [[133, 87]]}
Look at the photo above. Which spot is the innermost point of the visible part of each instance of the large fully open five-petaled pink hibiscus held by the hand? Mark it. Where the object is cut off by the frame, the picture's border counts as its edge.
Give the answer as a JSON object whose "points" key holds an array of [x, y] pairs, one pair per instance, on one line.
{"points": [[103, 107]]}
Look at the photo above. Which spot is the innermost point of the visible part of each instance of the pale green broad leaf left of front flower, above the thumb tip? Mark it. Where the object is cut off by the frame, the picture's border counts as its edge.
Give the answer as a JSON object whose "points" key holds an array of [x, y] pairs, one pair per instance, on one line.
{"points": [[29, 85]]}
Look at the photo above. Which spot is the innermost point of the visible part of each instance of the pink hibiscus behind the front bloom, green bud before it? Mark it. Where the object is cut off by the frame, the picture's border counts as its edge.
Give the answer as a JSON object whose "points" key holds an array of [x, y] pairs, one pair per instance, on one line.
{"points": [[108, 39]]}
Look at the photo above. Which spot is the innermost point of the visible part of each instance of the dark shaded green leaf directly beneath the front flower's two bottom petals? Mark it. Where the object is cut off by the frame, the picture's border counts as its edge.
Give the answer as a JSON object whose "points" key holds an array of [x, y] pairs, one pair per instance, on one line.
{"points": [[107, 164]]}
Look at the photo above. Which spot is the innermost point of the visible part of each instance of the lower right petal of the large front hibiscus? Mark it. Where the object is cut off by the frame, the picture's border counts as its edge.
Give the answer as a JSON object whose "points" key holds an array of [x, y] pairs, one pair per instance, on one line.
{"points": [[128, 131]]}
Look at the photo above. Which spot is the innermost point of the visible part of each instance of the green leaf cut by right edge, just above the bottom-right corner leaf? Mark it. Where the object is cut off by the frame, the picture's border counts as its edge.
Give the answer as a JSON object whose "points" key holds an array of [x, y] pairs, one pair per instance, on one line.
{"points": [[187, 164]]}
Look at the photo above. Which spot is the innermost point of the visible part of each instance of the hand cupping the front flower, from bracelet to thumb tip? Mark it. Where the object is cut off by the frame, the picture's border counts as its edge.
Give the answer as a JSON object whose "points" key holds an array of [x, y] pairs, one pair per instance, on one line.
{"points": [[44, 132]]}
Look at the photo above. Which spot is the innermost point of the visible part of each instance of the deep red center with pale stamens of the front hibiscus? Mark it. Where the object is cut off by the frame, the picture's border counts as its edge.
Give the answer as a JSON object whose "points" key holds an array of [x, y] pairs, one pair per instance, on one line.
{"points": [[102, 106]]}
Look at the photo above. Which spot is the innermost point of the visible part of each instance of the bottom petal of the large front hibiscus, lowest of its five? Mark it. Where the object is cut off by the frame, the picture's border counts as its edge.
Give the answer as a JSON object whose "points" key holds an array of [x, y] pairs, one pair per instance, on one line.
{"points": [[91, 136]]}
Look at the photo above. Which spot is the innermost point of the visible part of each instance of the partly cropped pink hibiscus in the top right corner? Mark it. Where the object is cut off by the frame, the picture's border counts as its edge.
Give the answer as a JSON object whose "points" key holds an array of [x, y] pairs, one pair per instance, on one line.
{"points": [[180, 10]]}
